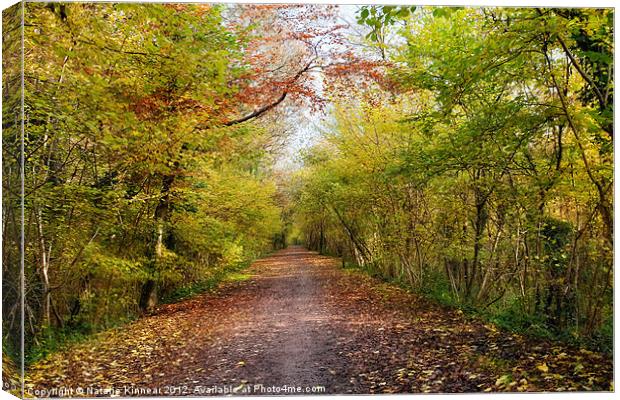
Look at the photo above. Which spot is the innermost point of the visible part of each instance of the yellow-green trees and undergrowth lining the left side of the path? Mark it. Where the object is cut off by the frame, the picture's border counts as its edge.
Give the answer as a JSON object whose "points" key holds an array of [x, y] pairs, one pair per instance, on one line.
{"points": [[135, 187]]}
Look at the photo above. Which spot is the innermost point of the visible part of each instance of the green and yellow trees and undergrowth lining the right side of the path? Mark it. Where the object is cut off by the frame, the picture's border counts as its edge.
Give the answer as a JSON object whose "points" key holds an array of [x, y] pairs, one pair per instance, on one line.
{"points": [[483, 179]]}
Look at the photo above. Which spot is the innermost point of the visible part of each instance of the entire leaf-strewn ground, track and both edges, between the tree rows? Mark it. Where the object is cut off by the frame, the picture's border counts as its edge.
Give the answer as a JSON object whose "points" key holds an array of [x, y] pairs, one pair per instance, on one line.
{"points": [[295, 319]]}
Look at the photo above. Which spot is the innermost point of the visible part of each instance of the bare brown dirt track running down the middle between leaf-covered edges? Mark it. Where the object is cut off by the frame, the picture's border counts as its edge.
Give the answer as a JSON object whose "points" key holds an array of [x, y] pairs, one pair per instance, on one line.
{"points": [[282, 332]]}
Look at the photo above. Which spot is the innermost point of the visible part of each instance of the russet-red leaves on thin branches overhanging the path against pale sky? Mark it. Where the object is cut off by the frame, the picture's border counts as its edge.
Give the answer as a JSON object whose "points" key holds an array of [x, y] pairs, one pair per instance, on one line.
{"points": [[289, 44]]}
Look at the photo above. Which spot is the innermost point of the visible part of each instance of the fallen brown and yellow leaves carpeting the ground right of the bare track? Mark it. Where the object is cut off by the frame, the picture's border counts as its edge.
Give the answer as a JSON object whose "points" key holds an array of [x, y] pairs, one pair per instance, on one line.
{"points": [[421, 347]]}
